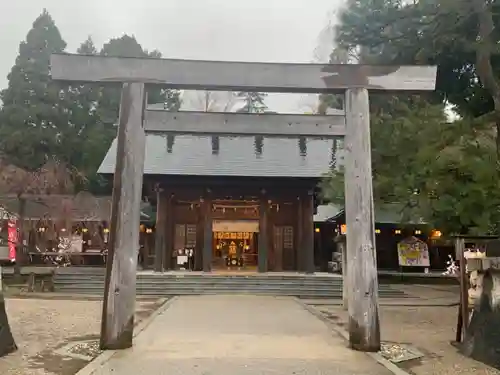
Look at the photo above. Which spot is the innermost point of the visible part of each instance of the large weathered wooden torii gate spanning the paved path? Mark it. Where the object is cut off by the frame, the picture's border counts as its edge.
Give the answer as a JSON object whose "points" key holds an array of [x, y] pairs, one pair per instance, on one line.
{"points": [[135, 73]]}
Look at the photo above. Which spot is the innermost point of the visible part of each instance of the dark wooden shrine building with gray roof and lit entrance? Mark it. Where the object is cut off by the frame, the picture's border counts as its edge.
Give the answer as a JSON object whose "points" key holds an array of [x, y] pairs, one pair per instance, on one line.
{"points": [[240, 202]]}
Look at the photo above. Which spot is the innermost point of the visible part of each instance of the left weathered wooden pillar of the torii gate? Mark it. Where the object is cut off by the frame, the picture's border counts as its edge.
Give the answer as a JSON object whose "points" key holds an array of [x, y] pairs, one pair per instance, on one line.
{"points": [[120, 284]]}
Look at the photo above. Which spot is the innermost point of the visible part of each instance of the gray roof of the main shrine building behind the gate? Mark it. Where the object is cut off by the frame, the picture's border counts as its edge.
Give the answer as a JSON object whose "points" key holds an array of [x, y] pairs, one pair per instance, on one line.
{"points": [[192, 155]]}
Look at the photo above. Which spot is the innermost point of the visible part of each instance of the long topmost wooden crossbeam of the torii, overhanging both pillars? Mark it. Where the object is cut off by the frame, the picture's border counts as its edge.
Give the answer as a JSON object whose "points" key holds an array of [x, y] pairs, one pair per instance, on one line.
{"points": [[241, 76]]}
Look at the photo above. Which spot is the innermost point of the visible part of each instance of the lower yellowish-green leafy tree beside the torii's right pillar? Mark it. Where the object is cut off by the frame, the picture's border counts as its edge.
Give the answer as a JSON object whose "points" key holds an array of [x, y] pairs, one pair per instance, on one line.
{"points": [[433, 169]]}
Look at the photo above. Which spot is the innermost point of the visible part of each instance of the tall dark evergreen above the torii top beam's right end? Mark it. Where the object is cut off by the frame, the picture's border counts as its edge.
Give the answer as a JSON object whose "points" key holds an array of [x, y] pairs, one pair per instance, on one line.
{"points": [[458, 36]]}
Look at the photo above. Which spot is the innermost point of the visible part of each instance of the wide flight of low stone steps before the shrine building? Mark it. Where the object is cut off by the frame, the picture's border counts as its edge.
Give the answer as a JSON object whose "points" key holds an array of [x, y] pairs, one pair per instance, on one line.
{"points": [[170, 284]]}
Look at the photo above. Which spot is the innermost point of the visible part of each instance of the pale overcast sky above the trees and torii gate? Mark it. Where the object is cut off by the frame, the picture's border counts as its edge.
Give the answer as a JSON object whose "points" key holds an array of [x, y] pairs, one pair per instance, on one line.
{"points": [[256, 30]]}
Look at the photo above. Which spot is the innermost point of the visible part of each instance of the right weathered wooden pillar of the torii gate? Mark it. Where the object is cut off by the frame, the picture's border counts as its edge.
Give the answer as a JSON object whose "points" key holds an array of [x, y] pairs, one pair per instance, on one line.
{"points": [[364, 325]]}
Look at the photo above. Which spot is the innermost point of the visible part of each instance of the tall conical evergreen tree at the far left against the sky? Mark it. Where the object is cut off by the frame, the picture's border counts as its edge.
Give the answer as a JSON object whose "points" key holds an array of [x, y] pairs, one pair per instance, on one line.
{"points": [[34, 112]]}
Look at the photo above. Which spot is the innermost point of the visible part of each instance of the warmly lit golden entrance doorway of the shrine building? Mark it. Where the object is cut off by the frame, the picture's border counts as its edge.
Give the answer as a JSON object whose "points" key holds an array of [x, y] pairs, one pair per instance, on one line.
{"points": [[235, 245]]}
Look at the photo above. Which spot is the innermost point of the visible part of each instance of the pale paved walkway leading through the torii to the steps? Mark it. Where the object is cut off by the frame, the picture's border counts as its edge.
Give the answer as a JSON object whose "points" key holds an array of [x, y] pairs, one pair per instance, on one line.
{"points": [[238, 335]]}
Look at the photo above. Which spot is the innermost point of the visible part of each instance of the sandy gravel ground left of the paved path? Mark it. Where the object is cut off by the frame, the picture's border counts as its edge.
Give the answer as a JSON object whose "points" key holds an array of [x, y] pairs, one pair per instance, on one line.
{"points": [[40, 326]]}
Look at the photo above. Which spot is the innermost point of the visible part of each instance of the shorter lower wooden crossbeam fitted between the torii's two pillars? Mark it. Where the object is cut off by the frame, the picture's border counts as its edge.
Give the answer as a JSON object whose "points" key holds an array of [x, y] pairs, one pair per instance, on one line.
{"points": [[278, 125]]}
